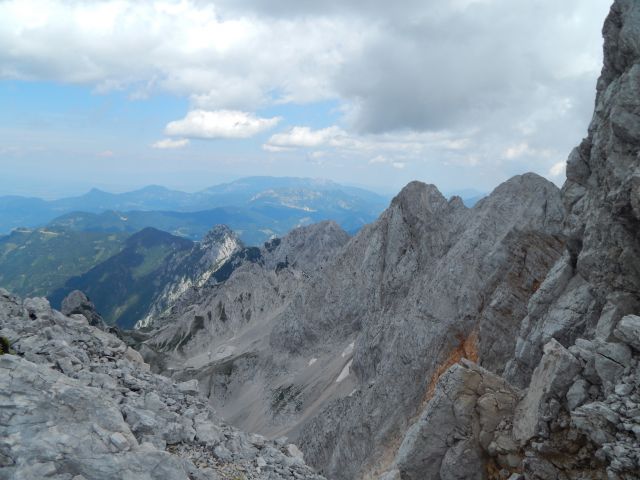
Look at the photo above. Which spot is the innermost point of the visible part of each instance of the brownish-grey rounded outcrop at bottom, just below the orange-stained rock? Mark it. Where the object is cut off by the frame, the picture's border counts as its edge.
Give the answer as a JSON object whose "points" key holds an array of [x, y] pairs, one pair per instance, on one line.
{"points": [[453, 434]]}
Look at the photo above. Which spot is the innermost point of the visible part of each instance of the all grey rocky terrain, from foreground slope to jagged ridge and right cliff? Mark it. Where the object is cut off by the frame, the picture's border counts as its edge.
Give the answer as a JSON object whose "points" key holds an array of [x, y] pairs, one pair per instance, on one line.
{"points": [[498, 342]]}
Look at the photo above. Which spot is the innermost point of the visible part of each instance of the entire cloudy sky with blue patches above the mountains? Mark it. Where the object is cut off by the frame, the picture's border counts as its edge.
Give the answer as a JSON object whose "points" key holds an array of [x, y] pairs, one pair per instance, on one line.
{"points": [[461, 93]]}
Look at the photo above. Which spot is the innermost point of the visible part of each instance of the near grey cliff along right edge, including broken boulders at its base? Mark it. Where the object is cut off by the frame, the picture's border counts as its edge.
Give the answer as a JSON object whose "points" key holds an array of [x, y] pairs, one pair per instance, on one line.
{"points": [[577, 354]]}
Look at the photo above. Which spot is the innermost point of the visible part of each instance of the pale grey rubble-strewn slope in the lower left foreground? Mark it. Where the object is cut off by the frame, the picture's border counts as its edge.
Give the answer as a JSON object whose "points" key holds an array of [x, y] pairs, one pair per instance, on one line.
{"points": [[77, 403]]}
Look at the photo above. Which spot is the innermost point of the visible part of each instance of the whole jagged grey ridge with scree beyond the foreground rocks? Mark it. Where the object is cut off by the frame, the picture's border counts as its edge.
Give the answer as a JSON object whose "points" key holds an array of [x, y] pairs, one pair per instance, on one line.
{"points": [[343, 356]]}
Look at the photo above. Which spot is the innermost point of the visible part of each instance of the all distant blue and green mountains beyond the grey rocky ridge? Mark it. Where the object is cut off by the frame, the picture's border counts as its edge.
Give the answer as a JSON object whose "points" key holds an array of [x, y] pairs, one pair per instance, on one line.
{"points": [[91, 241]]}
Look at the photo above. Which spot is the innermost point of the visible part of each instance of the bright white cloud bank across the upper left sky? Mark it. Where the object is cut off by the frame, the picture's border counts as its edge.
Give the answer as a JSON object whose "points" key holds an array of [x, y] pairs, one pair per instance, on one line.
{"points": [[219, 60]]}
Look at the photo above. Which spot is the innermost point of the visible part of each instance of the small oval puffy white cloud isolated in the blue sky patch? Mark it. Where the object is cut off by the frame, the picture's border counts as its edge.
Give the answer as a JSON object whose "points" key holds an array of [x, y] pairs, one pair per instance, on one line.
{"points": [[219, 124]]}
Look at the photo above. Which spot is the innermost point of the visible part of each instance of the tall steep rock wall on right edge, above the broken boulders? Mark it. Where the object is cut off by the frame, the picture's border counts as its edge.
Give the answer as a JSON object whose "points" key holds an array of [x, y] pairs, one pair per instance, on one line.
{"points": [[598, 279]]}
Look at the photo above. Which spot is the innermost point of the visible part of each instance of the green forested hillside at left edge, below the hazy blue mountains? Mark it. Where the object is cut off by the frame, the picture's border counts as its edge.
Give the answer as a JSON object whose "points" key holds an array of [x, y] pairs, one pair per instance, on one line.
{"points": [[39, 261]]}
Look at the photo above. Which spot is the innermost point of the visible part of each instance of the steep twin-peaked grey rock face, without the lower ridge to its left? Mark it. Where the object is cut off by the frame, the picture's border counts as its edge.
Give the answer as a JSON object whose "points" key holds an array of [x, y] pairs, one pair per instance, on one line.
{"points": [[431, 282]]}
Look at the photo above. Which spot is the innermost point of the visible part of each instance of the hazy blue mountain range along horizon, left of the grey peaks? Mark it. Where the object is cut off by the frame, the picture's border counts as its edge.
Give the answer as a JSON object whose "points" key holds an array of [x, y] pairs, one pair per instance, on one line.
{"points": [[256, 207]]}
